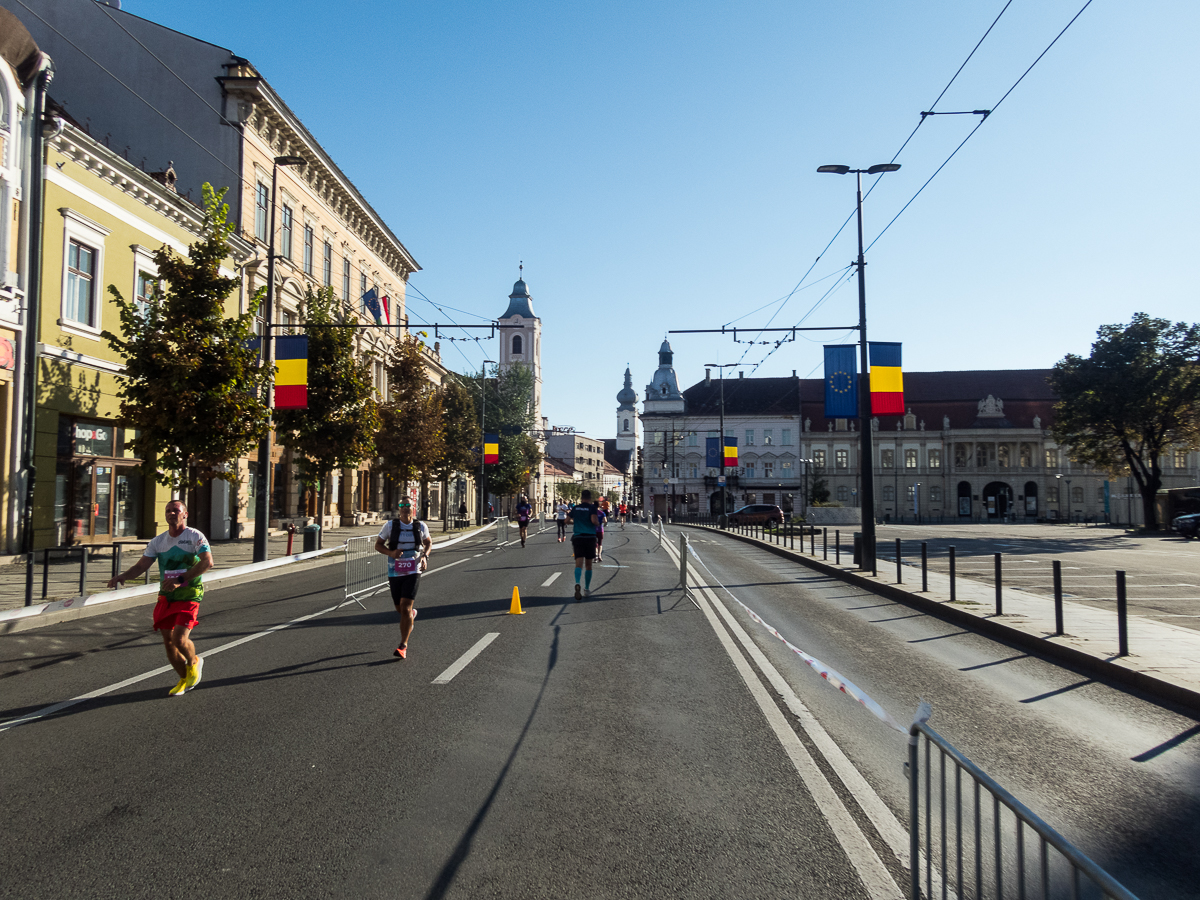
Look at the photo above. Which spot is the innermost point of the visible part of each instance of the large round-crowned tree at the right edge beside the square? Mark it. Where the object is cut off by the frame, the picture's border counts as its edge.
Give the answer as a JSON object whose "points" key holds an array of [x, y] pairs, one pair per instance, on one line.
{"points": [[1136, 397]]}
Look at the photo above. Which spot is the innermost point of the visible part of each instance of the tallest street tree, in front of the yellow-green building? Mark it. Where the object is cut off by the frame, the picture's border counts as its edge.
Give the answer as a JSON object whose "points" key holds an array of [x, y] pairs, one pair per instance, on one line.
{"points": [[193, 386]]}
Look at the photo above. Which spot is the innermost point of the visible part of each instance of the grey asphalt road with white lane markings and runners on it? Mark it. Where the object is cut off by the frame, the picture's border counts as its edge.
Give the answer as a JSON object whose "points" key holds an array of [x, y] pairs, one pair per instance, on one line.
{"points": [[629, 746]]}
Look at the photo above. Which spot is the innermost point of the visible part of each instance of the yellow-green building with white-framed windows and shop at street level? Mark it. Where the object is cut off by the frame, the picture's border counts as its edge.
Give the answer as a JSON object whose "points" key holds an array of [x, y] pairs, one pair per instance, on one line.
{"points": [[104, 220]]}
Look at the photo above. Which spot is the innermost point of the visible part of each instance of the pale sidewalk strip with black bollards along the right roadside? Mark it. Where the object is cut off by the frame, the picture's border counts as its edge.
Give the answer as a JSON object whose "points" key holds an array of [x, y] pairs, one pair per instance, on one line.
{"points": [[1163, 659]]}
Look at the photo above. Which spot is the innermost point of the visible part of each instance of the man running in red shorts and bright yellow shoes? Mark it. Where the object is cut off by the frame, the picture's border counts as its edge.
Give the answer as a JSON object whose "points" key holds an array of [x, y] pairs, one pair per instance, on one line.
{"points": [[183, 555]]}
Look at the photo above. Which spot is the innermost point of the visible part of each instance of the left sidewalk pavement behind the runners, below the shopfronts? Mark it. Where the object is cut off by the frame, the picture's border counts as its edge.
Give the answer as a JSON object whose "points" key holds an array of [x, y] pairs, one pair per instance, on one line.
{"points": [[64, 573]]}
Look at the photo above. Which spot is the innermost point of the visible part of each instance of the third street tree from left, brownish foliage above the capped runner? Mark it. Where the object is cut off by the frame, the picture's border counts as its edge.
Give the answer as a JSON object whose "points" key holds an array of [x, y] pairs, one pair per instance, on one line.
{"points": [[411, 439]]}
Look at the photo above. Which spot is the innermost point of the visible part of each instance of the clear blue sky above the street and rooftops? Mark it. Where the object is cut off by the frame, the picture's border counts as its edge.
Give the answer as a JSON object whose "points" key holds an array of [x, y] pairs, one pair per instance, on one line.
{"points": [[655, 166]]}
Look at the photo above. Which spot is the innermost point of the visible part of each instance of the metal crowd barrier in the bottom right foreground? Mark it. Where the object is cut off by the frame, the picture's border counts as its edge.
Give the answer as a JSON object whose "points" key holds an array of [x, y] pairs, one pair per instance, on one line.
{"points": [[1001, 850]]}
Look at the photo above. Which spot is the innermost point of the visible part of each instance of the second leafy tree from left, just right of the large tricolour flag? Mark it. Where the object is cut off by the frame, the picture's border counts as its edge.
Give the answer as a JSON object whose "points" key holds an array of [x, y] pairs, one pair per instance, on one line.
{"points": [[339, 428]]}
